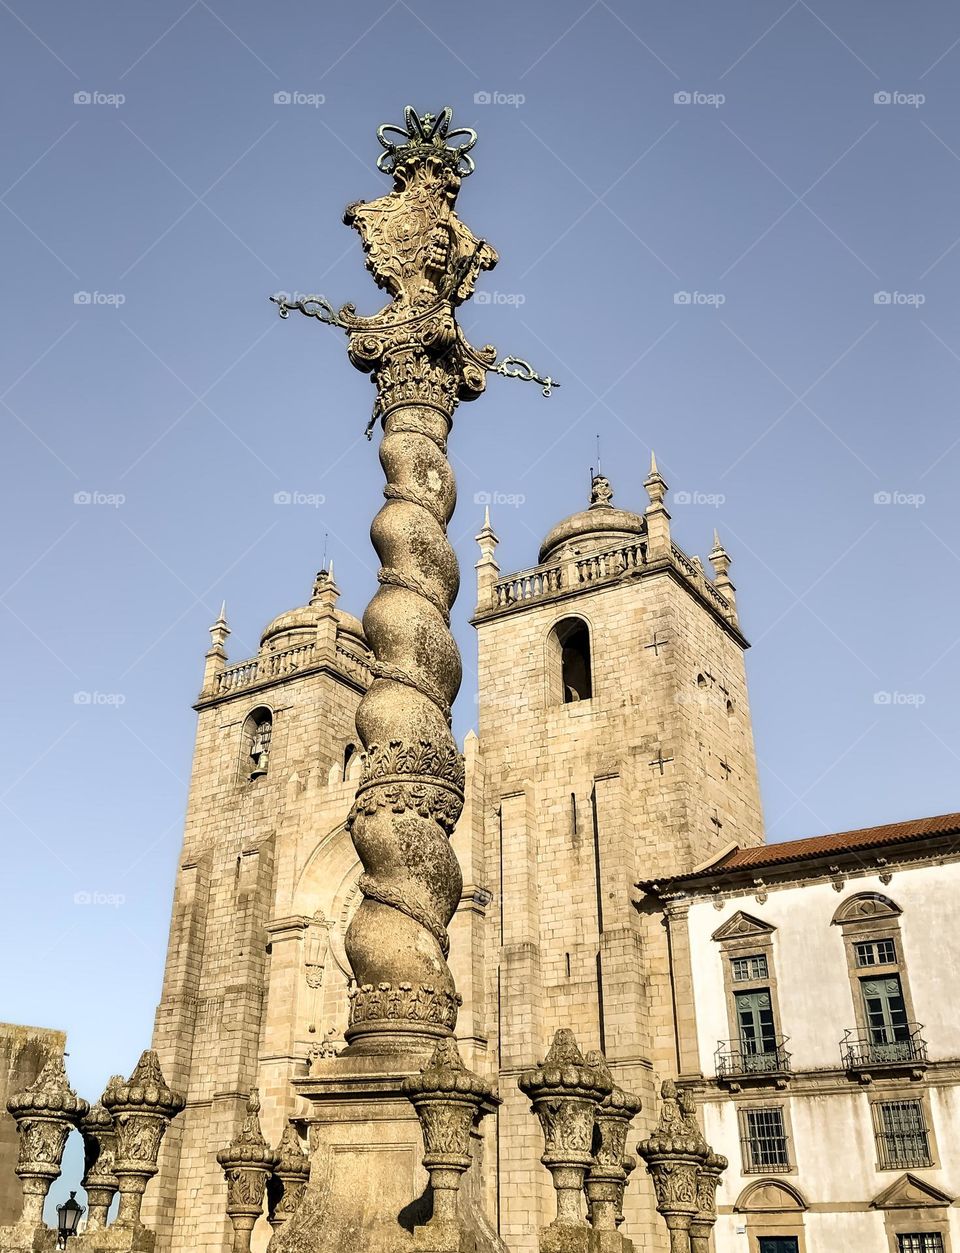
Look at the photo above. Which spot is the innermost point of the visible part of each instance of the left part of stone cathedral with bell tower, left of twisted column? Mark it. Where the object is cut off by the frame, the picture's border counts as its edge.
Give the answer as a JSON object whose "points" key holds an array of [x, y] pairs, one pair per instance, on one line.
{"points": [[256, 973]]}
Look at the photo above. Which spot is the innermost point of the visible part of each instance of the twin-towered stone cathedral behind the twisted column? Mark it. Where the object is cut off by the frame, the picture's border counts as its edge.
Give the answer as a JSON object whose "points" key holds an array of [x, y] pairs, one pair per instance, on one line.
{"points": [[615, 745]]}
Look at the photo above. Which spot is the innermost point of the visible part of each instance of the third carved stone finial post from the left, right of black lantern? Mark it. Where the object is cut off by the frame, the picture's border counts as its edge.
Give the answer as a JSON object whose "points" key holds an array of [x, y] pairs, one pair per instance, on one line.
{"points": [[142, 1108]]}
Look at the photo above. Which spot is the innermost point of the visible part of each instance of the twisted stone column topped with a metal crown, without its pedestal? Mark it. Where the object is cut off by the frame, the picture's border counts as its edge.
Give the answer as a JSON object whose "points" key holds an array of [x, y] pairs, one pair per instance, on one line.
{"points": [[412, 790]]}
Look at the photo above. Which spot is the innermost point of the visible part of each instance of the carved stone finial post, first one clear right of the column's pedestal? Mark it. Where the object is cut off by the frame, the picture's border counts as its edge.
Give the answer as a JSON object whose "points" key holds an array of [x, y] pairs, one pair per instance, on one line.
{"points": [[565, 1092]]}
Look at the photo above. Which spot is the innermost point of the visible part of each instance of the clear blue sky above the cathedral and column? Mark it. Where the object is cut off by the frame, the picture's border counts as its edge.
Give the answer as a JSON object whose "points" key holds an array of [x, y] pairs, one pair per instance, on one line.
{"points": [[783, 187]]}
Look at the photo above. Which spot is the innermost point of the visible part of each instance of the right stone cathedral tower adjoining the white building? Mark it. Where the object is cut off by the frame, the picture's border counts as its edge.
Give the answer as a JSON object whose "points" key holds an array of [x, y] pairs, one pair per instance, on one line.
{"points": [[616, 744]]}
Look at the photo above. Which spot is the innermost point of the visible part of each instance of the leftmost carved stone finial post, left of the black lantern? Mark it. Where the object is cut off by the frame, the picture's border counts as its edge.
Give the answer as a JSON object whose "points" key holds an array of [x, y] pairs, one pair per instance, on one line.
{"points": [[44, 1115]]}
